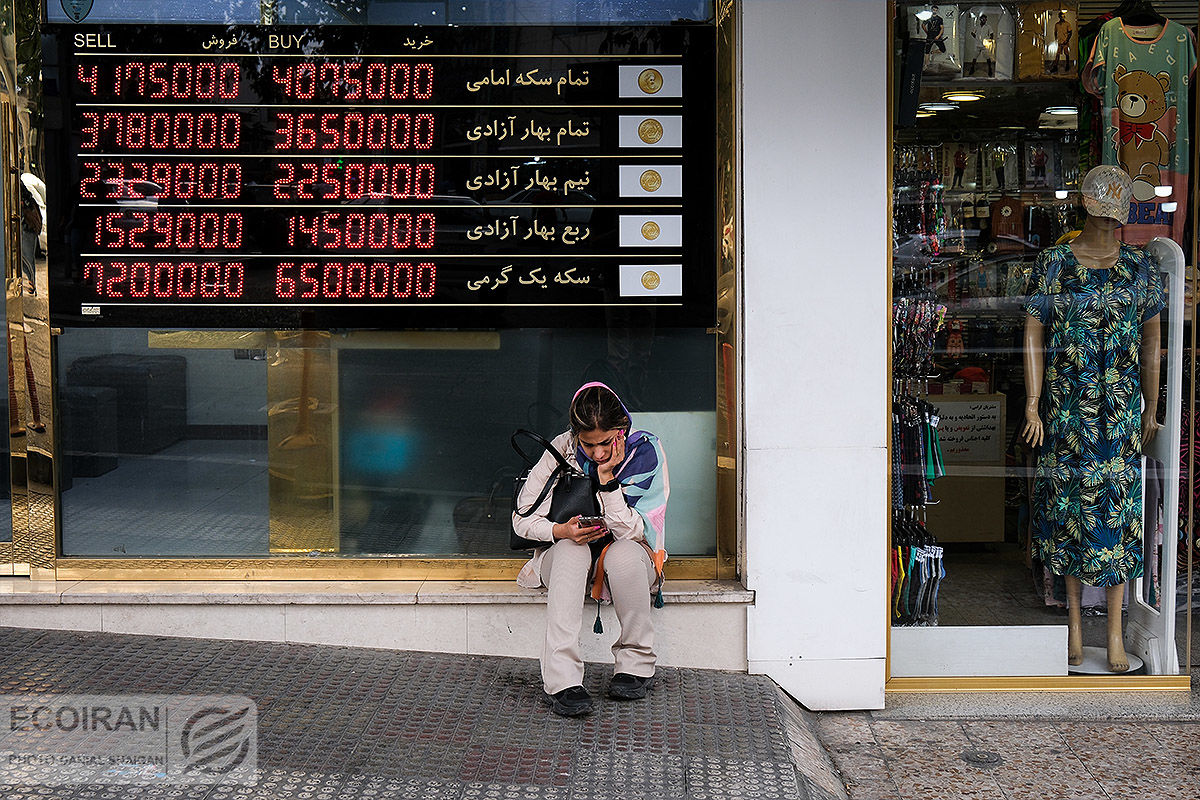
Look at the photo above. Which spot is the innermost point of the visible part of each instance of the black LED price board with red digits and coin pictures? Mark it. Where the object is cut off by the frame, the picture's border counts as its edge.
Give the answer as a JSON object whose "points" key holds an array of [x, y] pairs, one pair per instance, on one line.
{"points": [[381, 177]]}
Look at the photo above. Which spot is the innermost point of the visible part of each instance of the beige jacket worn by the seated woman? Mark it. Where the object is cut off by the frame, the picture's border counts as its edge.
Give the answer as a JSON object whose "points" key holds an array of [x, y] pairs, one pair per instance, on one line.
{"points": [[622, 521]]}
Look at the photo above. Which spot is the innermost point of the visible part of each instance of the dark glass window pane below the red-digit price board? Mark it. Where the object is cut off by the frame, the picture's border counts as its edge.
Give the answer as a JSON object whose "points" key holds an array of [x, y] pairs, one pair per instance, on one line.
{"points": [[369, 443]]}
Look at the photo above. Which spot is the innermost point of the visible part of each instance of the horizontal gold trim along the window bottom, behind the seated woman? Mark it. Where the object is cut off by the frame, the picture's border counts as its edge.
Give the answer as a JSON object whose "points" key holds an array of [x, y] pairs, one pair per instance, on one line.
{"points": [[329, 569]]}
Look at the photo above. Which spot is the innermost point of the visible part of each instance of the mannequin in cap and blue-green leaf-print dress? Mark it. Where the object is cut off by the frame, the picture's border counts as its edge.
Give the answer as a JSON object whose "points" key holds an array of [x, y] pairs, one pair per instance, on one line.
{"points": [[1089, 447]]}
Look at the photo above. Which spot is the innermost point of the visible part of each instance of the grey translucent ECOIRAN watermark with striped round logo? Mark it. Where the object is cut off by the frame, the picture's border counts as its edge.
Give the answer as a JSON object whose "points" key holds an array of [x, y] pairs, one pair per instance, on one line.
{"points": [[129, 739]]}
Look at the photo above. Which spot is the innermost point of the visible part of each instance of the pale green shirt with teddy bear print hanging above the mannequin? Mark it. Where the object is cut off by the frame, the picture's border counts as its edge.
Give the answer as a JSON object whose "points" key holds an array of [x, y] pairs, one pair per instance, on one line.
{"points": [[1142, 77]]}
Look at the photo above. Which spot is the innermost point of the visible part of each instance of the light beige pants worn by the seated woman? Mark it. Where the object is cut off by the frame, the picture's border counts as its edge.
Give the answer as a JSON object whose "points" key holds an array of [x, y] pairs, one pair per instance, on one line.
{"points": [[565, 573]]}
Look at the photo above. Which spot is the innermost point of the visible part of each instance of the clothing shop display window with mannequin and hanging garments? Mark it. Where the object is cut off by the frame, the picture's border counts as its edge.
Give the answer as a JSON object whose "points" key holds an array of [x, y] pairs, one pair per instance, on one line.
{"points": [[1037, 305]]}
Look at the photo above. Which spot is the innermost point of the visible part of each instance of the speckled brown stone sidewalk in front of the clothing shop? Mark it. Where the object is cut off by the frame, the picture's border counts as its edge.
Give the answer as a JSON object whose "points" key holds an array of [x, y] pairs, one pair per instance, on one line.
{"points": [[1022, 747]]}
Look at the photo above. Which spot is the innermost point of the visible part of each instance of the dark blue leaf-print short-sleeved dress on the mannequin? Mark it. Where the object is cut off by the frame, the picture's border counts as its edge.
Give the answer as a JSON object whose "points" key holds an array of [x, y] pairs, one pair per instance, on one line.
{"points": [[1088, 485]]}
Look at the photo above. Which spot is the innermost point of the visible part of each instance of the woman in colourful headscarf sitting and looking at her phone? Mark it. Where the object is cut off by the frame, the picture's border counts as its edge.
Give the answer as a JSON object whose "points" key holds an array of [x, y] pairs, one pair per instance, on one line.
{"points": [[629, 474]]}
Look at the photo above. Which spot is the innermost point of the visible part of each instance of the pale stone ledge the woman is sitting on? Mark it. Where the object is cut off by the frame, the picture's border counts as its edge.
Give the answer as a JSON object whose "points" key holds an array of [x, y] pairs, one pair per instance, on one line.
{"points": [[323, 593]]}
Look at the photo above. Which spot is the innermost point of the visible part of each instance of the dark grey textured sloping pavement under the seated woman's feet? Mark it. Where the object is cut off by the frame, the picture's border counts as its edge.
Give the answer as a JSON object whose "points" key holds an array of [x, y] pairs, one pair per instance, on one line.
{"points": [[346, 724]]}
